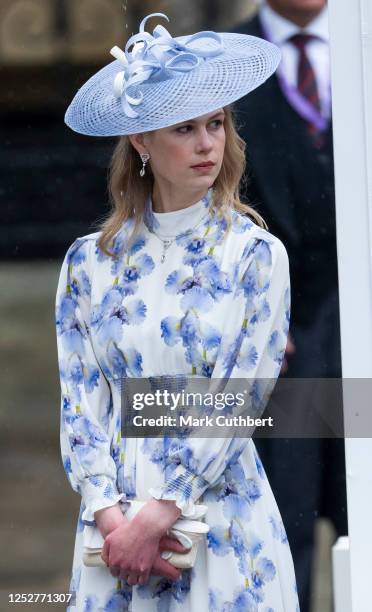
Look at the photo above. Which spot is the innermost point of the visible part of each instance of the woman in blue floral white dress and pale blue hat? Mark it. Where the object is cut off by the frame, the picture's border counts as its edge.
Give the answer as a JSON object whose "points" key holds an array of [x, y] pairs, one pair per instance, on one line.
{"points": [[179, 283]]}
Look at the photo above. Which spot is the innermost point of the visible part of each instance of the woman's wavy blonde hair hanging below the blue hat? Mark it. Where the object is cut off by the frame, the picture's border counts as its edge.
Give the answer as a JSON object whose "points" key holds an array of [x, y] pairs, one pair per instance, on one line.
{"points": [[129, 191]]}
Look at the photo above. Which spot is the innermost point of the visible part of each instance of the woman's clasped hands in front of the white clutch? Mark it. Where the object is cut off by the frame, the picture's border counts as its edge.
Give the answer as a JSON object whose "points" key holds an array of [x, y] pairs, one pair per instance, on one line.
{"points": [[132, 549]]}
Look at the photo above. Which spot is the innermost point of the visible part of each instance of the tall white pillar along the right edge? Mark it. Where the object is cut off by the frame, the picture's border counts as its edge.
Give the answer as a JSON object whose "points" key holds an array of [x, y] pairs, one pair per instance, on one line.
{"points": [[351, 56]]}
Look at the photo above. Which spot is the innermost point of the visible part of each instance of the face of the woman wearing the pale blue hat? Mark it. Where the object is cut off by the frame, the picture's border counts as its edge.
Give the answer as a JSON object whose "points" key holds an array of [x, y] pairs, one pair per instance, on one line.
{"points": [[188, 155]]}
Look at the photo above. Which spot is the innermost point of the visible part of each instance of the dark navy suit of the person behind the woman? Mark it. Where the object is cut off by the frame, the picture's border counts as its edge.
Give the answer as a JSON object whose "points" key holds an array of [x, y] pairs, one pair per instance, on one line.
{"points": [[292, 185]]}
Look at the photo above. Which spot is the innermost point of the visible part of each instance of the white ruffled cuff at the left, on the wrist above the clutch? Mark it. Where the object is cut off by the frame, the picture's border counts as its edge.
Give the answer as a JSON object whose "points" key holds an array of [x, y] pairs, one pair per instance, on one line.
{"points": [[98, 492]]}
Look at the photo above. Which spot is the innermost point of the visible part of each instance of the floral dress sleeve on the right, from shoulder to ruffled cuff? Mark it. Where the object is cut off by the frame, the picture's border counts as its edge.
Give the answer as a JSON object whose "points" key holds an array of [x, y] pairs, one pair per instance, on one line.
{"points": [[252, 347]]}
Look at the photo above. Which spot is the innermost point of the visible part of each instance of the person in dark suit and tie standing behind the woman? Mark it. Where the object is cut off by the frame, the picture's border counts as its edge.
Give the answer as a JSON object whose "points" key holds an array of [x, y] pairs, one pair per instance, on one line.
{"points": [[287, 127]]}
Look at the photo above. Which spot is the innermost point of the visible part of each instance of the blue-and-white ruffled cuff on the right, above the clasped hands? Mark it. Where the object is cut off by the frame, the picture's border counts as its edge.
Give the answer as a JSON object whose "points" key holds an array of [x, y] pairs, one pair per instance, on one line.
{"points": [[185, 488]]}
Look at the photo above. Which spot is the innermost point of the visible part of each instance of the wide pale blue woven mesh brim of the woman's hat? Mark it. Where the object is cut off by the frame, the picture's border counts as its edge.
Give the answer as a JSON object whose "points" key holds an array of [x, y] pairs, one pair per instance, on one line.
{"points": [[245, 64]]}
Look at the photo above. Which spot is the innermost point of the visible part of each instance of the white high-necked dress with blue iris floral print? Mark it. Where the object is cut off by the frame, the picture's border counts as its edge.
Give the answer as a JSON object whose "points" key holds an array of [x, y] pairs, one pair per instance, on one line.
{"points": [[212, 308]]}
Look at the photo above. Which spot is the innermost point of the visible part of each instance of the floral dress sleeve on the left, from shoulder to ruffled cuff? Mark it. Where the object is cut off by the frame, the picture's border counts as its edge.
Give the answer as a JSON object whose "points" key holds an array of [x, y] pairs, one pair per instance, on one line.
{"points": [[86, 398]]}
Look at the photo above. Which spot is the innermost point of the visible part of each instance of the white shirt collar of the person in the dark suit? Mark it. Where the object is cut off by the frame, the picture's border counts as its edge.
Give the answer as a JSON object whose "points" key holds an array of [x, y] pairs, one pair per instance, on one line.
{"points": [[280, 29]]}
